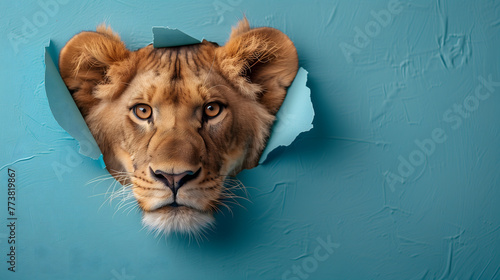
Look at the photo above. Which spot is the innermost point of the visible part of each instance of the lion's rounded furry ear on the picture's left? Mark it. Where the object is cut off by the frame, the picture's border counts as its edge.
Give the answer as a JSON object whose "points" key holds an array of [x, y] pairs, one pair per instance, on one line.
{"points": [[84, 60]]}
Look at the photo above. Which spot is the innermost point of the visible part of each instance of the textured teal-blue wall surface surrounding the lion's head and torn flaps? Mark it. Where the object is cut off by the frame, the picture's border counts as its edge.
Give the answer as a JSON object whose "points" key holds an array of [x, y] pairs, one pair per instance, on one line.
{"points": [[349, 180]]}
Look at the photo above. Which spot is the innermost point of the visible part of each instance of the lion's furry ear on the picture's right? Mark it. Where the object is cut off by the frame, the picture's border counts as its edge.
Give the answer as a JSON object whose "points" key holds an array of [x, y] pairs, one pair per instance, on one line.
{"points": [[265, 58]]}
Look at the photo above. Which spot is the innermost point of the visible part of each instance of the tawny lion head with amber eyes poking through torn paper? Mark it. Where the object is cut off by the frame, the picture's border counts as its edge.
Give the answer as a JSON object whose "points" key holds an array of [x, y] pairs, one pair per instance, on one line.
{"points": [[174, 122]]}
